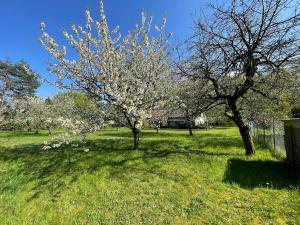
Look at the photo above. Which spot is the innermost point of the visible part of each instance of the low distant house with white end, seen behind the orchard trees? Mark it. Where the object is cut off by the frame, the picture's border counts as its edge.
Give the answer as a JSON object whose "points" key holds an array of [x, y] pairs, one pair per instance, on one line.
{"points": [[180, 121]]}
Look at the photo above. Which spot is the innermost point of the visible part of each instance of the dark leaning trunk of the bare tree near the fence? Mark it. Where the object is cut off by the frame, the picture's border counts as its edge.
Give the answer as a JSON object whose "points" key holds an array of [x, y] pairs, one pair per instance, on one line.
{"points": [[243, 128]]}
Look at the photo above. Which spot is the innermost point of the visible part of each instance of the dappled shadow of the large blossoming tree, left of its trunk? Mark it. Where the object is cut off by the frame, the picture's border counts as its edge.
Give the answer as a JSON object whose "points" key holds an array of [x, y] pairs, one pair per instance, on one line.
{"points": [[53, 170]]}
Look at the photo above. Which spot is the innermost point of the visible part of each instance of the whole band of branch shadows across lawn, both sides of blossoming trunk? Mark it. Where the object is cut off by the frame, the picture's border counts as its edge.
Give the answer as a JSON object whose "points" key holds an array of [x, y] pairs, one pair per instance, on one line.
{"points": [[55, 170]]}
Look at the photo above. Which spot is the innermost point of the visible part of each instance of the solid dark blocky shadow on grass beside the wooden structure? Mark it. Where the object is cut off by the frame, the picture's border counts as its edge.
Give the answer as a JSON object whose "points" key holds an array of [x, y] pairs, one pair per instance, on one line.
{"points": [[259, 173]]}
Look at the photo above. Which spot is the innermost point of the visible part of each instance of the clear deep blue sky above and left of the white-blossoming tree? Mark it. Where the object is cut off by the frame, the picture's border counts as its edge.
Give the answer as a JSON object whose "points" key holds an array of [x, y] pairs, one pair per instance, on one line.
{"points": [[20, 21]]}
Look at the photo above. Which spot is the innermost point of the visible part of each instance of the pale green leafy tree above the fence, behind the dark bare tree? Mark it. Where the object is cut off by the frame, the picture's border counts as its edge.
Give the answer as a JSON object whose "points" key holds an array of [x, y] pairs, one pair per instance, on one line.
{"points": [[280, 96]]}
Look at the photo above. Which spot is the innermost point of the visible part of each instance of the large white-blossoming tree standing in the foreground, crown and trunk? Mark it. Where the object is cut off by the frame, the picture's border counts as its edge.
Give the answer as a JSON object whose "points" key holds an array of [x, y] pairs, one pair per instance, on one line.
{"points": [[129, 73]]}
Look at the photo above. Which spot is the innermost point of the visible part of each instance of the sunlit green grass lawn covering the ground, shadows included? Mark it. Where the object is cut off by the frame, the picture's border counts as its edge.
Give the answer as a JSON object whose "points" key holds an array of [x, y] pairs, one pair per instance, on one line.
{"points": [[173, 179]]}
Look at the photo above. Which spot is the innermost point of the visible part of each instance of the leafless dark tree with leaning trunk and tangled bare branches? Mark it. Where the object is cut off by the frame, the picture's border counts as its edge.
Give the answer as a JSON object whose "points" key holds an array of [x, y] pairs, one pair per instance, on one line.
{"points": [[239, 42]]}
